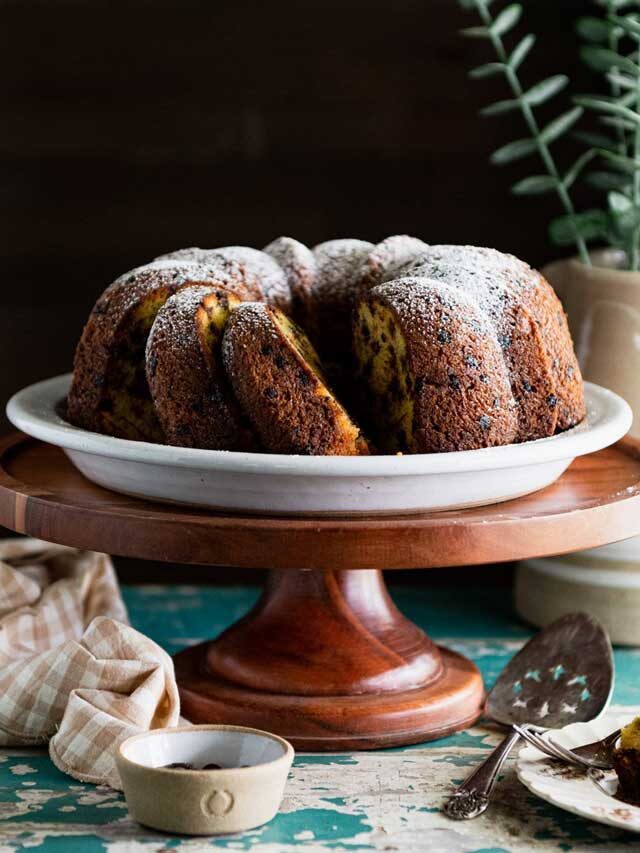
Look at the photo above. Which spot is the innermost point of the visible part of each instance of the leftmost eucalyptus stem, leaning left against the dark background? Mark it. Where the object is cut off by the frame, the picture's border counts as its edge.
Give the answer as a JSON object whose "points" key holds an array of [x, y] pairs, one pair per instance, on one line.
{"points": [[541, 138]]}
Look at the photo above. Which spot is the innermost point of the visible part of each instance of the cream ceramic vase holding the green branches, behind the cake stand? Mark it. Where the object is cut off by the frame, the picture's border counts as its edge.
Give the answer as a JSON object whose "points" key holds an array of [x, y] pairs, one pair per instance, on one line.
{"points": [[603, 305]]}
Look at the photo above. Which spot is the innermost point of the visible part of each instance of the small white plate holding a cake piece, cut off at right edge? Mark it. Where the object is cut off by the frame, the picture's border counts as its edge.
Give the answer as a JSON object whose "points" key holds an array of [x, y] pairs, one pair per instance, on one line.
{"points": [[572, 790]]}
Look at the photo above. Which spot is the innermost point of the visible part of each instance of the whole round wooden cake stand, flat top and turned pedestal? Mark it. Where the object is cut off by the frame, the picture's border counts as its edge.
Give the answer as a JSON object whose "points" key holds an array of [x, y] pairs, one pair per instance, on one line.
{"points": [[325, 658]]}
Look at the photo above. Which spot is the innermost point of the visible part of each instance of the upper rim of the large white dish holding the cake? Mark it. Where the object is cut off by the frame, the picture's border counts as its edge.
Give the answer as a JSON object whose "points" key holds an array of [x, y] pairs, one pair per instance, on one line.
{"points": [[32, 410]]}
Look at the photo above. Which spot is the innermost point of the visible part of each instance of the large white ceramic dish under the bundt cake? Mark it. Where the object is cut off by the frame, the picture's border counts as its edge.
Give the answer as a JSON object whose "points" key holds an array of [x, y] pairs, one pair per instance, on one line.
{"points": [[303, 485]]}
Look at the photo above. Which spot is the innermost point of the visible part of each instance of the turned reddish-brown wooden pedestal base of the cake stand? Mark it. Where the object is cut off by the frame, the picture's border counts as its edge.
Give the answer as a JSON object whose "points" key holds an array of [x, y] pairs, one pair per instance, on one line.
{"points": [[326, 660]]}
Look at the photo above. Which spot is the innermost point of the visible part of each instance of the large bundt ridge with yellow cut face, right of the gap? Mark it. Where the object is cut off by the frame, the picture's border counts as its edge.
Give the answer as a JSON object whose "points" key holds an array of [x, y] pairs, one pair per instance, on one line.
{"points": [[447, 386]]}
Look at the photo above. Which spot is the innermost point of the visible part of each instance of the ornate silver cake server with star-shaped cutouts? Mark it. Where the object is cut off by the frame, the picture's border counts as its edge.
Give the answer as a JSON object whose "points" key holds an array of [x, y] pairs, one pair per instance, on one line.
{"points": [[562, 675]]}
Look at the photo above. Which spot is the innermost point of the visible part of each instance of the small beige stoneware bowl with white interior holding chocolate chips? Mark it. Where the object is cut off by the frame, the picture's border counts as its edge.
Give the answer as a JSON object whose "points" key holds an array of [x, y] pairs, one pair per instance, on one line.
{"points": [[246, 792]]}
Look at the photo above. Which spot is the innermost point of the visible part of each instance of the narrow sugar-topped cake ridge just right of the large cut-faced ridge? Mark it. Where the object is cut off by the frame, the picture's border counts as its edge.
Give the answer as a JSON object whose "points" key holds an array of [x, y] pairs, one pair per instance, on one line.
{"points": [[484, 275]]}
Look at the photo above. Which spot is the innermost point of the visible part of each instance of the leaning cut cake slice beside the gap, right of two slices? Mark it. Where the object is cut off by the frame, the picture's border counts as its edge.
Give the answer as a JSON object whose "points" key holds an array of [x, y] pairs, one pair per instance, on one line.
{"points": [[281, 390]]}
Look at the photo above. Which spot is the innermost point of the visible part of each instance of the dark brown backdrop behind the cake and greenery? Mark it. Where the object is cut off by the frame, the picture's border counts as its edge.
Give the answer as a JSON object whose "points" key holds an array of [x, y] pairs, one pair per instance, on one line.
{"points": [[131, 129]]}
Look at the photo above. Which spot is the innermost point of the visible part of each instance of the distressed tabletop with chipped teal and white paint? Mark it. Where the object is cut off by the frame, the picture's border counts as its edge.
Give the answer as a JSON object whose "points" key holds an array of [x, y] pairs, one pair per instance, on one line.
{"points": [[386, 800]]}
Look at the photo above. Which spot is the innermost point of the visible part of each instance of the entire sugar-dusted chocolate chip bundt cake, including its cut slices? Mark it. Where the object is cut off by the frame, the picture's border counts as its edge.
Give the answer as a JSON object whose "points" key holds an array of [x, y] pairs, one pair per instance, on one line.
{"points": [[435, 348]]}
